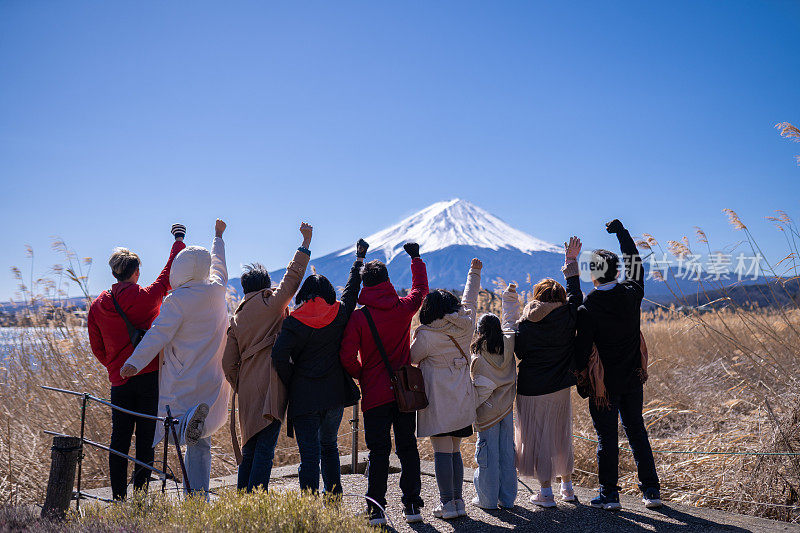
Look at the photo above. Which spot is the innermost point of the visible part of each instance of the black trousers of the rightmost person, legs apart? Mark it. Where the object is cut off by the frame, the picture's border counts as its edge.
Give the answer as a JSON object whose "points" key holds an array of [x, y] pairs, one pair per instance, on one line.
{"points": [[627, 406]]}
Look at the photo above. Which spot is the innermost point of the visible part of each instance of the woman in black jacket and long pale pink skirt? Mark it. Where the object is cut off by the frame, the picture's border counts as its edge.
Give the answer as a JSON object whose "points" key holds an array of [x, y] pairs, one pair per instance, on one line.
{"points": [[545, 347]]}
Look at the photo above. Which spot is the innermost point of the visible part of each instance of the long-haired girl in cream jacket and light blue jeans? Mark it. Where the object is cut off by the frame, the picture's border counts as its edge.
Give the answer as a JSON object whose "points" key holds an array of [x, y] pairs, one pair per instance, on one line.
{"points": [[494, 375]]}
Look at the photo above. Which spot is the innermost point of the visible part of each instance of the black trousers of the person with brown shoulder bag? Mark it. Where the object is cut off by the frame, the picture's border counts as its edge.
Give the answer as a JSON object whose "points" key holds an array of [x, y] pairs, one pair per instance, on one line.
{"points": [[378, 423]]}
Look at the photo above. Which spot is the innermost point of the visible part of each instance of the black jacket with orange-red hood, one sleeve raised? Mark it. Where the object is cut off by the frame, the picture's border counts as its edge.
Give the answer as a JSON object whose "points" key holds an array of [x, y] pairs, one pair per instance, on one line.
{"points": [[307, 358]]}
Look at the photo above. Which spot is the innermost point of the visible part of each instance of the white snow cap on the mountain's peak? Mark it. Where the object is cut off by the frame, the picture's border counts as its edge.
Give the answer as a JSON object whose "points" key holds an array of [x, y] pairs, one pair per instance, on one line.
{"points": [[448, 223]]}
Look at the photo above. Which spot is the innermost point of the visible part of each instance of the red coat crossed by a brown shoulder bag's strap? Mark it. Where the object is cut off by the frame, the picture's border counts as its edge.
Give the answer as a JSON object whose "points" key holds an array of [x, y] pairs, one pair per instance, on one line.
{"points": [[392, 316]]}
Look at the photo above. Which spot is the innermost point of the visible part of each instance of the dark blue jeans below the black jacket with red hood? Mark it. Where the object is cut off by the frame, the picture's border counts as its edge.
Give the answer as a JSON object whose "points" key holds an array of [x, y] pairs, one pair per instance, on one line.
{"points": [[316, 435]]}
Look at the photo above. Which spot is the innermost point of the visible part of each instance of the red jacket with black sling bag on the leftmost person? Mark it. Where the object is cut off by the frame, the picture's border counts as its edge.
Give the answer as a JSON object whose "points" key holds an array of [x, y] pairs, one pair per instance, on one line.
{"points": [[108, 334]]}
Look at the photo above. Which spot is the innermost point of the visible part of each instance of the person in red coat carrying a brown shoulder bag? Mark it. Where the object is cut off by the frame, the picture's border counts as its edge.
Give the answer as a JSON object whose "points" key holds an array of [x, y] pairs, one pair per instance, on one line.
{"points": [[392, 316]]}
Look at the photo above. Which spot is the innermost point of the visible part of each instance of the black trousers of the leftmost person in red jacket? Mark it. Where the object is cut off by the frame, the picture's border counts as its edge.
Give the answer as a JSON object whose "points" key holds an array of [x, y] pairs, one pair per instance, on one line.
{"points": [[139, 394]]}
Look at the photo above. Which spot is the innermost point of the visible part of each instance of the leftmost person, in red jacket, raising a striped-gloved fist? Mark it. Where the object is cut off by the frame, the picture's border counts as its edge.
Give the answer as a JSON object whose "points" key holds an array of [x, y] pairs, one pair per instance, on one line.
{"points": [[111, 345]]}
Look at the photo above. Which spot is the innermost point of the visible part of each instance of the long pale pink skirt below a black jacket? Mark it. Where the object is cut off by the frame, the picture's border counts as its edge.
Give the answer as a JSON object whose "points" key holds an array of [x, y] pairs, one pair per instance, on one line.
{"points": [[543, 435]]}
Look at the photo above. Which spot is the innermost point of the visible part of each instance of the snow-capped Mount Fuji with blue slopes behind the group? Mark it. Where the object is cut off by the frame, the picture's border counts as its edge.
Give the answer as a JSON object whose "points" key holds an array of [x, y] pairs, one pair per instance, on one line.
{"points": [[450, 234]]}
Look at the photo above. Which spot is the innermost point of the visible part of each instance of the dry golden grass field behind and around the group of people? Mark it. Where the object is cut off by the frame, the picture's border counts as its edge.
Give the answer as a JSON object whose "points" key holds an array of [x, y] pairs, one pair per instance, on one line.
{"points": [[723, 381]]}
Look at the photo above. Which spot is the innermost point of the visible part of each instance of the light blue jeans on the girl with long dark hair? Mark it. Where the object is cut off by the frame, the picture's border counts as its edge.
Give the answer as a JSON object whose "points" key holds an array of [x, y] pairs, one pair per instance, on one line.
{"points": [[496, 476]]}
